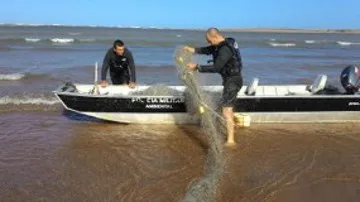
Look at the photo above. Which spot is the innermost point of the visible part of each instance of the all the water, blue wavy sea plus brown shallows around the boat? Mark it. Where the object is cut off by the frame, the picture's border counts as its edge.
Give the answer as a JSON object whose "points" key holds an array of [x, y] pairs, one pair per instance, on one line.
{"points": [[47, 154]]}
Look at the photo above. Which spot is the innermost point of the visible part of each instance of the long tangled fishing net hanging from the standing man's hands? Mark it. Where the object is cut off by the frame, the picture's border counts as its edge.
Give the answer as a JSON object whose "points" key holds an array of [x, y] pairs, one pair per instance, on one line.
{"points": [[205, 188]]}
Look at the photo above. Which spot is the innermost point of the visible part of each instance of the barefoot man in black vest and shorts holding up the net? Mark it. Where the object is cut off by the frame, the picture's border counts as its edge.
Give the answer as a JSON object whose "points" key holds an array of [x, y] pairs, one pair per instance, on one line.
{"points": [[227, 62]]}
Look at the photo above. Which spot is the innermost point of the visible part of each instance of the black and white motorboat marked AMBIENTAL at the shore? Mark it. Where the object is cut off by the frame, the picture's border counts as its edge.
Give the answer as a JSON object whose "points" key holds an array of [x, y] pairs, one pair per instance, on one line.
{"points": [[263, 103]]}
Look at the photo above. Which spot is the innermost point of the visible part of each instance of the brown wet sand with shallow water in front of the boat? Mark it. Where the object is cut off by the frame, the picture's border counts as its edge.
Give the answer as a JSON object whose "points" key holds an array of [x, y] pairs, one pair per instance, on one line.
{"points": [[54, 157]]}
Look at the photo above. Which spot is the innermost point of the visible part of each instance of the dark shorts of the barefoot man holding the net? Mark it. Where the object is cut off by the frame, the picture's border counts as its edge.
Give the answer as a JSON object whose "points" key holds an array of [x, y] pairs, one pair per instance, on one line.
{"points": [[232, 86]]}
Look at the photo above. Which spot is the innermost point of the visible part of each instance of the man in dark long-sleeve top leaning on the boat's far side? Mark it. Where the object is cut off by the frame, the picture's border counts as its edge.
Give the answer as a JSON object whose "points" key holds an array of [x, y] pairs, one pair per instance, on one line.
{"points": [[120, 62]]}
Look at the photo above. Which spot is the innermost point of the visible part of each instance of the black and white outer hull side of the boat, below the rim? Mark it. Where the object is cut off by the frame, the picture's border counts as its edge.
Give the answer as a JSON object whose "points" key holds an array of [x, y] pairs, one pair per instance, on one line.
{"points": [[172, 109]]}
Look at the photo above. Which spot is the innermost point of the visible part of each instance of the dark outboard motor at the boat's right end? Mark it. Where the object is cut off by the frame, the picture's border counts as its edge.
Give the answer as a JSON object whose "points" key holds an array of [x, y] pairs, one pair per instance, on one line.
{"points": [[350, 79]]}
